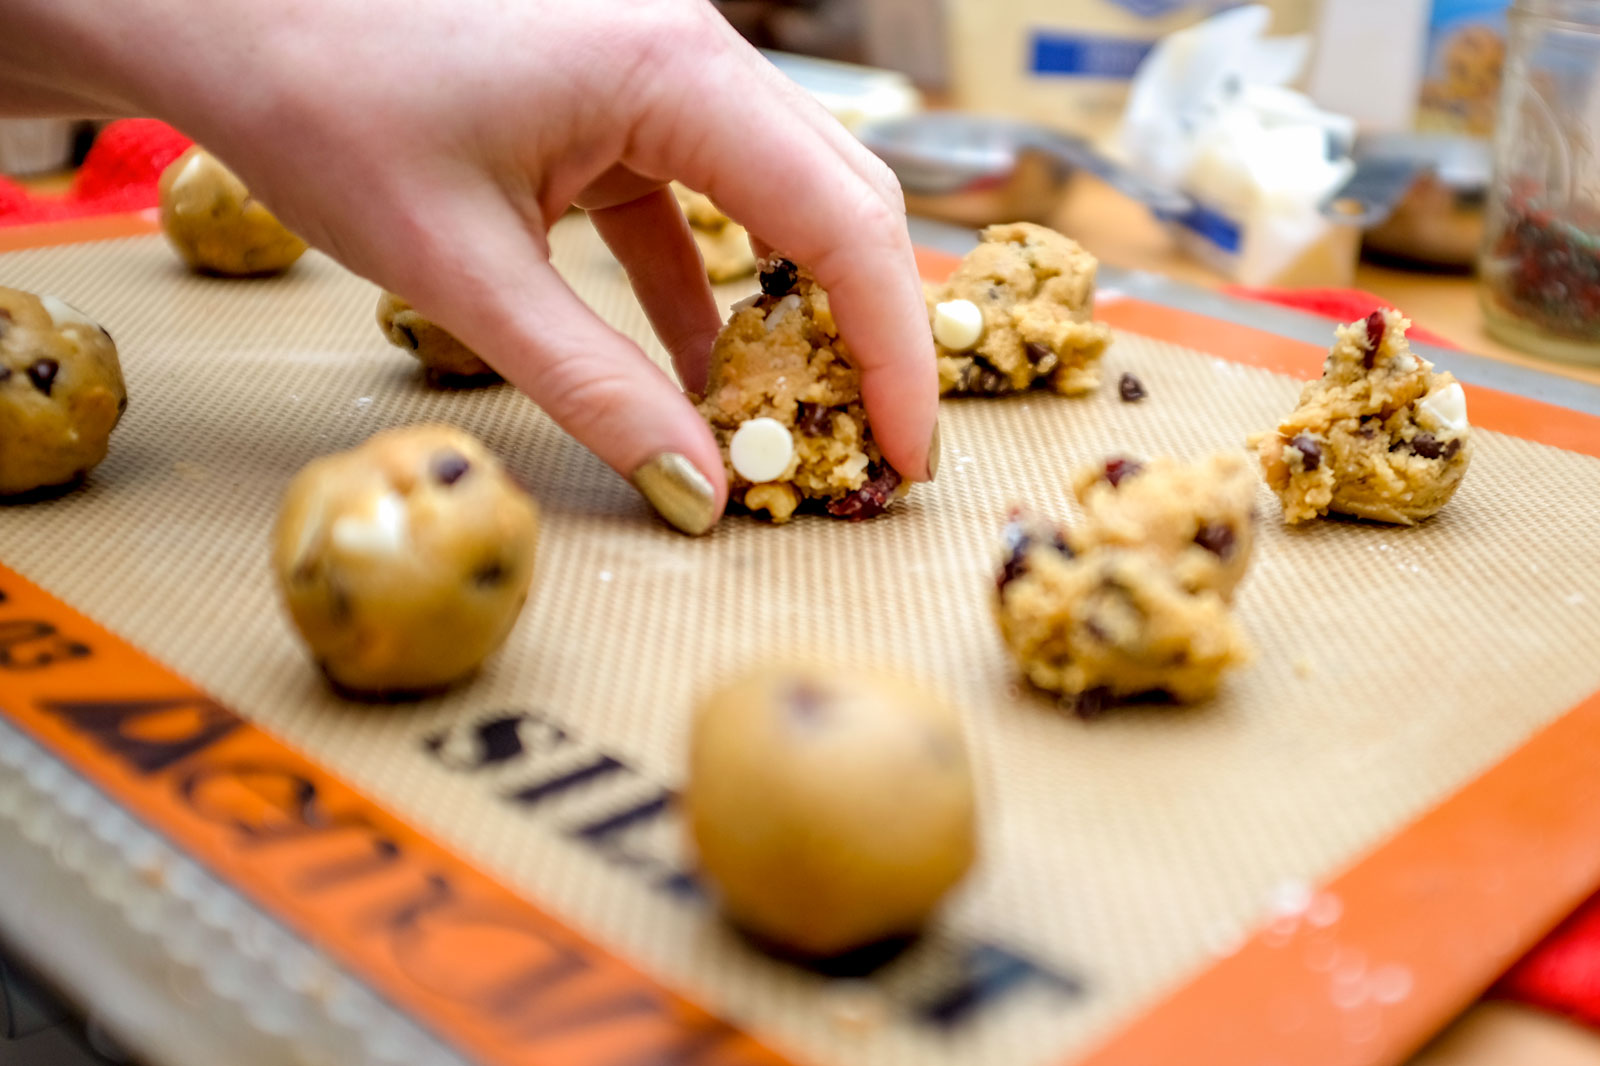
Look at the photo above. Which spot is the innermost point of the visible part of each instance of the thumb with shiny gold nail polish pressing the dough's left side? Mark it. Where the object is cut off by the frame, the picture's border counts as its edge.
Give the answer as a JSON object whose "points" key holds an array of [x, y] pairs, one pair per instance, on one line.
{"points": [[510, 305]]}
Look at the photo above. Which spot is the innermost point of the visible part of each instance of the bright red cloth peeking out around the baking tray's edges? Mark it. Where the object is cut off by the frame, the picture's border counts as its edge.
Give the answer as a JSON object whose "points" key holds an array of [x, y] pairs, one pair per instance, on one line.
{"points": [[127, 162]]}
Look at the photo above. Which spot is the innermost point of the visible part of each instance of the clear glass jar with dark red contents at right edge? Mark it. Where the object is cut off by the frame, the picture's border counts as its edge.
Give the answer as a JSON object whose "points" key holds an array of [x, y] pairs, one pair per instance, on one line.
{"points": [[1540, 268]]}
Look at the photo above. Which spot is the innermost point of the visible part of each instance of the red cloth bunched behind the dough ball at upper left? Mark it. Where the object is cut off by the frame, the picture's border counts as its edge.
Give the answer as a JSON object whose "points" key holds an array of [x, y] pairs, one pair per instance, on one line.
{"points": [[119, 175]]}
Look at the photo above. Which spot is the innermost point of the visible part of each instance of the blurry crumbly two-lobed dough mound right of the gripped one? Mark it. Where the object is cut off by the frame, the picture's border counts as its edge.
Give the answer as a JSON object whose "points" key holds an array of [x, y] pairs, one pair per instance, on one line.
{"points": [[1137, 598]]}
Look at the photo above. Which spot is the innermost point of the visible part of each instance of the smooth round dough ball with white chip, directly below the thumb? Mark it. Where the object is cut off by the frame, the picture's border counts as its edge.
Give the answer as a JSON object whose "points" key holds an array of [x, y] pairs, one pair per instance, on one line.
{"points": [[406, 563]]}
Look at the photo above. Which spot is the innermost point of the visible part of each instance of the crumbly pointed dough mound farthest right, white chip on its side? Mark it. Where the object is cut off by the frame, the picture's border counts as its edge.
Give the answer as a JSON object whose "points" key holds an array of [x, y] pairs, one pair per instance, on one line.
{"points": [[1380, 436]]}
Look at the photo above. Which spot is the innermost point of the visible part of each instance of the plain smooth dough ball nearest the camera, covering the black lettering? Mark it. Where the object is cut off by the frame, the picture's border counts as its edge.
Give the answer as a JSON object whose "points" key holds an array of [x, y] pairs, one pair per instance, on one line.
{"points": [[830, 809]]}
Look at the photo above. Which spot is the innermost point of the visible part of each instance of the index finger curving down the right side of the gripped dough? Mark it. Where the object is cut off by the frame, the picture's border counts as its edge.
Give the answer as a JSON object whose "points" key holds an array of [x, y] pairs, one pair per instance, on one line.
{"points": [[790, 185]]}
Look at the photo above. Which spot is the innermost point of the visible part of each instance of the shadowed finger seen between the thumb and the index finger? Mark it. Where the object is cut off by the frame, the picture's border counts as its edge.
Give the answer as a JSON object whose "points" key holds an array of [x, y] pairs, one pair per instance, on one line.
{"points": [[654, 242]]}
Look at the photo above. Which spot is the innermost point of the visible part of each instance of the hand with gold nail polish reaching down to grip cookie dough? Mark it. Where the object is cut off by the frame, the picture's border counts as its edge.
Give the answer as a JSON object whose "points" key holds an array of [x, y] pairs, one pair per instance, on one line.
{"points": [[430, 146]]}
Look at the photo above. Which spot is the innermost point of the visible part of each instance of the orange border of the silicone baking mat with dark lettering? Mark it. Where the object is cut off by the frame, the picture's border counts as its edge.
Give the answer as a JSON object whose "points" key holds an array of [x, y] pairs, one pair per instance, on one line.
{"points": [[1454, 897]]}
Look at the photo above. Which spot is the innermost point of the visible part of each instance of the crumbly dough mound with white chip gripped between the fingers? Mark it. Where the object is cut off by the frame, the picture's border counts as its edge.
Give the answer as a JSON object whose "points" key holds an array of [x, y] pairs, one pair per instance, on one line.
{"points": [[785, 404]]}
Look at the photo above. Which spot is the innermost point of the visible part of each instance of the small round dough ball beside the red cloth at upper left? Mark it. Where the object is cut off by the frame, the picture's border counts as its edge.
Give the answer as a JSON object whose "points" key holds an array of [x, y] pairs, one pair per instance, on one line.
{"points": [[217, 226]]}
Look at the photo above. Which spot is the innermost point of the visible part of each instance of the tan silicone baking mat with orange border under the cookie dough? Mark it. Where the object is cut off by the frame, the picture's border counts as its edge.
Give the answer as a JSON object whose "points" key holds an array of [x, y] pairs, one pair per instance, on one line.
{"points": [[1318, 867]]}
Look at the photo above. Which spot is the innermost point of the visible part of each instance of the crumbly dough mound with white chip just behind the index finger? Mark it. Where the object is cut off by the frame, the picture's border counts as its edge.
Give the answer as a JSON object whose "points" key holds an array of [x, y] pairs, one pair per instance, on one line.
{"points": [[1017, 315]]}
